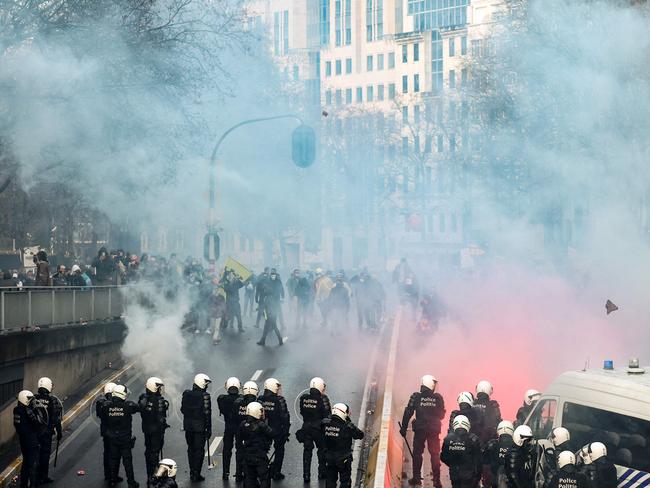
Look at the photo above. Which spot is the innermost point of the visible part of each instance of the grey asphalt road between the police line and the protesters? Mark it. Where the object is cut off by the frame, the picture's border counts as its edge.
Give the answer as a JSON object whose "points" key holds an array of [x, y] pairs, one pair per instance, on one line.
{"points": [[341, 360]]}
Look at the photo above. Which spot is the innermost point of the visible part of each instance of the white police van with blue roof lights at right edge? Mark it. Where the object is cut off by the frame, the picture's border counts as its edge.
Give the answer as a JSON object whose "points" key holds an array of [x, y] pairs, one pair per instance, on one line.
{"points": [[609, 405]]}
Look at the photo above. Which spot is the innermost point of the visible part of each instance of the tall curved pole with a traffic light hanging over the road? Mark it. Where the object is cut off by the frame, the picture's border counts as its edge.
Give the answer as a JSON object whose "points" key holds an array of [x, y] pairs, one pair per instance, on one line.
{"points": [[303, 152]]}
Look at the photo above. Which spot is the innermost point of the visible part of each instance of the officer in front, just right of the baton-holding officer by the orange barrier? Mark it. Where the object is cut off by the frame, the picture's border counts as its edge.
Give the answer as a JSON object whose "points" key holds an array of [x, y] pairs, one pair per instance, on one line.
{"points": [[461, 451]]}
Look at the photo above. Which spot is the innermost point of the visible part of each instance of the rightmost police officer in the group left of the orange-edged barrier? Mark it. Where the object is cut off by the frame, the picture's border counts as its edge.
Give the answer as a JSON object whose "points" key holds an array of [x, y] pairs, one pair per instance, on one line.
{"points": [[338, 433]]}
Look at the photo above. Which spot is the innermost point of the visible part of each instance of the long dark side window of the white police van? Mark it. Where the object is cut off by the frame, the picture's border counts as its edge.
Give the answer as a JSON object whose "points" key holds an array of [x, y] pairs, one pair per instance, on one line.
{"points": [[627, 438]]}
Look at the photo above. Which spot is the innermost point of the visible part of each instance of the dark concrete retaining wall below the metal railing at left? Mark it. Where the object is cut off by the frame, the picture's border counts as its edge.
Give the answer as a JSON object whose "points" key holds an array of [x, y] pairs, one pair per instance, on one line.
{"points": [[69, 355]]}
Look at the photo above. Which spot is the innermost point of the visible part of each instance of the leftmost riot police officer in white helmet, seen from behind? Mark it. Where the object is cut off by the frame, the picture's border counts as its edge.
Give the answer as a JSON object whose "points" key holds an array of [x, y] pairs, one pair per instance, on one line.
{"points": [[27, 425]]}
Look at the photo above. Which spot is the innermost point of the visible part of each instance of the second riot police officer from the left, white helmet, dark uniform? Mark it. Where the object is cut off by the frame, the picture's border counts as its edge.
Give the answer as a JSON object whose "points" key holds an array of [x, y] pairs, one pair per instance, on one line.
{"points": [[50, 408]]}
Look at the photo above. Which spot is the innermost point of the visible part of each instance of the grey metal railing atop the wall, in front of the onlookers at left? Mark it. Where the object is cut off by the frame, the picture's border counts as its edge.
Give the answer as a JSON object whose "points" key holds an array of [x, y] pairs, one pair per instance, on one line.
{"points": [[44, 307]]}
